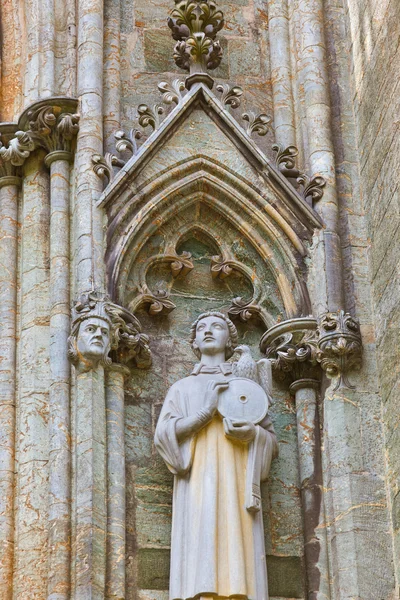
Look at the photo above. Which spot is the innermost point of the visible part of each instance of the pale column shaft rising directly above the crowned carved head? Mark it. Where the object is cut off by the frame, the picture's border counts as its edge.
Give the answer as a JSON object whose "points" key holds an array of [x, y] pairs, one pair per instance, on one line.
{"points": [[88, 221]]}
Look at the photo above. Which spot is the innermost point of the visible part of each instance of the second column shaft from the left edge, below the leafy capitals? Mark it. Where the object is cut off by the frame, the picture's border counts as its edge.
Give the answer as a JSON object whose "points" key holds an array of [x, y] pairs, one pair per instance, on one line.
{"points": [[31, 564]]}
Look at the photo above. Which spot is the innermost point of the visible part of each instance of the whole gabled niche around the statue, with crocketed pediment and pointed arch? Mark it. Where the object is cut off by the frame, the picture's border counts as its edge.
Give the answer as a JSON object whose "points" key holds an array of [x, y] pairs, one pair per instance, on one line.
{"points": [[199, 219]]}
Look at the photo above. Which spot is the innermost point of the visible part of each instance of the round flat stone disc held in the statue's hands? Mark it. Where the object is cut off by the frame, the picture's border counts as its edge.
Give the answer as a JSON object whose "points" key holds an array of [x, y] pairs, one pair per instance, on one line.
{"points": [[243, 400]]}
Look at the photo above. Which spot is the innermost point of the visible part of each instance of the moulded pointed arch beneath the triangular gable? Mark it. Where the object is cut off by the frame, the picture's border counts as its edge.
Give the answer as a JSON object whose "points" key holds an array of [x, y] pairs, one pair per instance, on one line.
{"points": [[279, 242]]}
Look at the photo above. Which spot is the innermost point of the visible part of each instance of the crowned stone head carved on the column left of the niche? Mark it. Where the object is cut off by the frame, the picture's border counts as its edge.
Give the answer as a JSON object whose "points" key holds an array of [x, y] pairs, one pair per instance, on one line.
{"points": [[92, 334]]}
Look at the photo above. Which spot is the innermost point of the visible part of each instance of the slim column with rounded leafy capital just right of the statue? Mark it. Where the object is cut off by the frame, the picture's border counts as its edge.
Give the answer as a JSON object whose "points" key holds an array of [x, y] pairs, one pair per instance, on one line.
{"points": [[292, 346]]}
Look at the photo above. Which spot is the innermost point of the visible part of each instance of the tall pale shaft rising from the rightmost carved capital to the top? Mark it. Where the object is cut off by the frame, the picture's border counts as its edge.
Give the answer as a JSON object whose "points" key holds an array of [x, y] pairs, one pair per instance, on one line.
{"points": [[312, 77]]}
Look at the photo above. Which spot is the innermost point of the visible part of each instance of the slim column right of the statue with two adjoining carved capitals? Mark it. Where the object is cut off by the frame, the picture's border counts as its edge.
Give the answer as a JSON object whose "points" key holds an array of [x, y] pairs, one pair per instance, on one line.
{"points": [[301, 351]]}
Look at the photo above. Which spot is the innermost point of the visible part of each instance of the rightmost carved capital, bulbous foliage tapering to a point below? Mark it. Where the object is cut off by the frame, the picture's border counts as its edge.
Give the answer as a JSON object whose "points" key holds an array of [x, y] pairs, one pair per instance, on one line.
{"points": [[339, 345]]}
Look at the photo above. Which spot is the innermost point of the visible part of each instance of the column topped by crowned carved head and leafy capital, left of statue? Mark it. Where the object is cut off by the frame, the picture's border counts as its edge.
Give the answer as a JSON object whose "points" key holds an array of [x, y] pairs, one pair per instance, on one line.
{"points": [[98, 328]]}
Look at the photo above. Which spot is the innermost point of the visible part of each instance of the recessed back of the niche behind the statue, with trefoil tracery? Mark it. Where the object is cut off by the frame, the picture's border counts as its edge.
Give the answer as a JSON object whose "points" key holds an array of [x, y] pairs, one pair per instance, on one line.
{"points": [[180, 272]]}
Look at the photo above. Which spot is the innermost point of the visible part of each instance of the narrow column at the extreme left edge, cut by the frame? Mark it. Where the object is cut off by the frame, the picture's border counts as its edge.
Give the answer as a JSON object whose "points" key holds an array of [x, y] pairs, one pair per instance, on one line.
{"points": [[9, 191]]}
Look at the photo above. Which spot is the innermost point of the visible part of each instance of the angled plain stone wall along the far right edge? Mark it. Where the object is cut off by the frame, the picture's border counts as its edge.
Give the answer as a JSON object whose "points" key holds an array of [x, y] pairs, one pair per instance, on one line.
{"points": [[374, 42]]}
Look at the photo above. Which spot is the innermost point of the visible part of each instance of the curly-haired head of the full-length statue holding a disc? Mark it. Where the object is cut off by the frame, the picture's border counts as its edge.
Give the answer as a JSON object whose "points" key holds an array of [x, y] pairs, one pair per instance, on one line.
{"points": [[211, 333]]}
